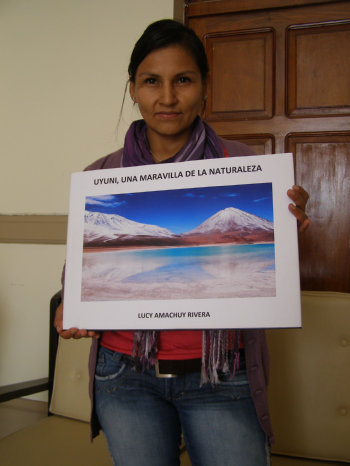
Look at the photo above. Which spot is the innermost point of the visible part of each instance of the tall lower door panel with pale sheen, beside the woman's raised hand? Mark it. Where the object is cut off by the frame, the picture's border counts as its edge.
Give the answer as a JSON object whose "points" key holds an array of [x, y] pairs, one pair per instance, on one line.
{"points": [[324, 250]]}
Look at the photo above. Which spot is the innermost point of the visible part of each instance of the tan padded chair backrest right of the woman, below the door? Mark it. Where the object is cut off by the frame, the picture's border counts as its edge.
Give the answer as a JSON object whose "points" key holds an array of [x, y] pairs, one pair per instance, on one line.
{"points": [[310, 380]]}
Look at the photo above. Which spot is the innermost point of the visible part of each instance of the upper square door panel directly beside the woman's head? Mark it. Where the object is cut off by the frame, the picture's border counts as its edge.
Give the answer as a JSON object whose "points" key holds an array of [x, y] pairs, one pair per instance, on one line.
{"points": [[251, 63]]}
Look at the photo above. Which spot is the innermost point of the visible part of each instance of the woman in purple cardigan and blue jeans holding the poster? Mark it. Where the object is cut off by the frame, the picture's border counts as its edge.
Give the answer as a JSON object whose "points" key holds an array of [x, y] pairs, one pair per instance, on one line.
{"points": [[151, 386]]}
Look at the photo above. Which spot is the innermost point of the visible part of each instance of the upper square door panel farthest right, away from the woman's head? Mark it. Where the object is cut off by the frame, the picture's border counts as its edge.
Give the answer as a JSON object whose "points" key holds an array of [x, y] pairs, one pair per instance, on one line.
{"points": [[315, 86]]}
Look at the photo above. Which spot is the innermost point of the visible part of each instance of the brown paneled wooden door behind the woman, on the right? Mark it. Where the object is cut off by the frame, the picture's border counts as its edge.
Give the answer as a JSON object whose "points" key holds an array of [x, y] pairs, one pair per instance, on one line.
{"points": [[280, 82]]}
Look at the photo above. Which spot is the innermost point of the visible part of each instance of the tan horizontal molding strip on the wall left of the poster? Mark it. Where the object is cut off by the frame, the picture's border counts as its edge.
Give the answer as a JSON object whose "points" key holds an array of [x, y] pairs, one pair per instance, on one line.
{"points": [[33, 229]]}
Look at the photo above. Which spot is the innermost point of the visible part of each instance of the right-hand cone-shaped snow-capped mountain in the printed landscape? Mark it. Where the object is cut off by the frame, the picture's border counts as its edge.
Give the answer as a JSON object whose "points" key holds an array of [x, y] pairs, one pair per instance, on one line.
{"points": [[231, 220]]}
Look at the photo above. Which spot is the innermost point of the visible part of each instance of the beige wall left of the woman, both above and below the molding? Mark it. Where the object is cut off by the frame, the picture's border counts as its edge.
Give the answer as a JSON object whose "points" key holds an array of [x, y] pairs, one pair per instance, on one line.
{"points": [[63, 73]]}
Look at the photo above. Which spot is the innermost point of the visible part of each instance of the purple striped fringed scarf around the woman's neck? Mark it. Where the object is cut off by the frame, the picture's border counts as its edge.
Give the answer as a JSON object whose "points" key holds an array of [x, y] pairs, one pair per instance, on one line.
{"points": [[217, 352]]}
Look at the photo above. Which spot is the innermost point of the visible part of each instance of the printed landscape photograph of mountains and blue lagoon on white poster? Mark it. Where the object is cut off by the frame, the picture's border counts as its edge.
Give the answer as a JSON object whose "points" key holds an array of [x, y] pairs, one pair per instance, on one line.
{"points": [[197, 243]]}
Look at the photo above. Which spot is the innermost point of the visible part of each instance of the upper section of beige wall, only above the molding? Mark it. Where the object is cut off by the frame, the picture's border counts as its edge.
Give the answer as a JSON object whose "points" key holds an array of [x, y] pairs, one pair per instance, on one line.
{"points": [[63, 73]]}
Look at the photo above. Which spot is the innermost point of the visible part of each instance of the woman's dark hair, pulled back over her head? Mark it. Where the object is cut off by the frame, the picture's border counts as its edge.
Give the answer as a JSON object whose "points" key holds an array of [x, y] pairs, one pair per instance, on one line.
{"points": [[162, 34]]}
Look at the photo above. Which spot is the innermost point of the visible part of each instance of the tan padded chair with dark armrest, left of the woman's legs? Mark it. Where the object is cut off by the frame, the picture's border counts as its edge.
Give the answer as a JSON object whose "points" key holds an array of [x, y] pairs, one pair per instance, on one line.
{"points": [[63, 438]]}
